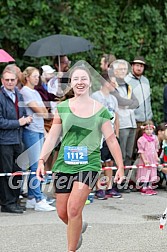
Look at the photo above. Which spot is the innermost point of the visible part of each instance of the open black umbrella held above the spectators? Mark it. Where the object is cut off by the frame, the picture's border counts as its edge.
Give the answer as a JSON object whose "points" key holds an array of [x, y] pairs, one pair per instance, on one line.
{"points": [[58, 45]]}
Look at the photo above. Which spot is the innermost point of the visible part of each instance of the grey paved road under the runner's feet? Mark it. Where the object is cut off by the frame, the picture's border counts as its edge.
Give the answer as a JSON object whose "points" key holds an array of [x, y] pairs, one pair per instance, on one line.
{"points": [[117, 225]]}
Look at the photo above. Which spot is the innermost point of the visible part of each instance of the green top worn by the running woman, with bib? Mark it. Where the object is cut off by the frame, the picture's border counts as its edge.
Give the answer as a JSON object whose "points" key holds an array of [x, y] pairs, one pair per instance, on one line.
{"points": [[81, 138]]}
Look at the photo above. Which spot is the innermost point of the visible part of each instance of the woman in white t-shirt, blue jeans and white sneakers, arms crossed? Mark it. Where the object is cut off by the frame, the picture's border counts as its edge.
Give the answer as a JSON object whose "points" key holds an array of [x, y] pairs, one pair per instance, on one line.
{"points": [[33, 136]]}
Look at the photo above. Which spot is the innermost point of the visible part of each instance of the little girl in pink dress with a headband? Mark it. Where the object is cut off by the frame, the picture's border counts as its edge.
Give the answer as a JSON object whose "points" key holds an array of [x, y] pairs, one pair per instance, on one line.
{"points": [[148, 154]]}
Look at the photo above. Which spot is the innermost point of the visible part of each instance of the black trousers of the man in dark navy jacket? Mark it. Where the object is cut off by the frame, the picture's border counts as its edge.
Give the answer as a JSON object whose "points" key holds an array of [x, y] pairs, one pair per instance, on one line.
{"points": [[10, 186]]}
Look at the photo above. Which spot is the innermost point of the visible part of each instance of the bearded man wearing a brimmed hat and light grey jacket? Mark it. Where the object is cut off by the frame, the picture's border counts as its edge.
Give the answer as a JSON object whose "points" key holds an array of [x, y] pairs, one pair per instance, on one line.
{"points": [[141, 88]]}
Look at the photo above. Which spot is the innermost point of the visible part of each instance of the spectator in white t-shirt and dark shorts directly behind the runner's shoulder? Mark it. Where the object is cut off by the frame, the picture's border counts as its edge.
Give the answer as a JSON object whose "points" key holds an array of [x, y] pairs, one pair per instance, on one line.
{"points": [[110, 102]]}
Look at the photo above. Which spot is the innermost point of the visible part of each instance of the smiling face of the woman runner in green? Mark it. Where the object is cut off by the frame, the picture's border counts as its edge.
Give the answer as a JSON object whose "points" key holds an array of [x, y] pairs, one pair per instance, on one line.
{"points": [[80, 82]]}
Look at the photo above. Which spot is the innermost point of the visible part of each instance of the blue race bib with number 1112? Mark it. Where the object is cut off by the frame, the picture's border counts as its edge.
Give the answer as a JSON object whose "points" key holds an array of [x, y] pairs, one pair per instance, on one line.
{"points": [[75, 155]]}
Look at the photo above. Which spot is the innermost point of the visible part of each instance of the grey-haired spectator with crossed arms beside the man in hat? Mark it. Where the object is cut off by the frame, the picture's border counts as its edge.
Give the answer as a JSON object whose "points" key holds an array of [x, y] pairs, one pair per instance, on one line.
{"points": [[127, 128]]}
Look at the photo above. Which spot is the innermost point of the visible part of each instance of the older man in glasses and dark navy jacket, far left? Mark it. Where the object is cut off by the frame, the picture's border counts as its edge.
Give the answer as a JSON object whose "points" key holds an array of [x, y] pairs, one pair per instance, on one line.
{"points": [[12, 118]]}
